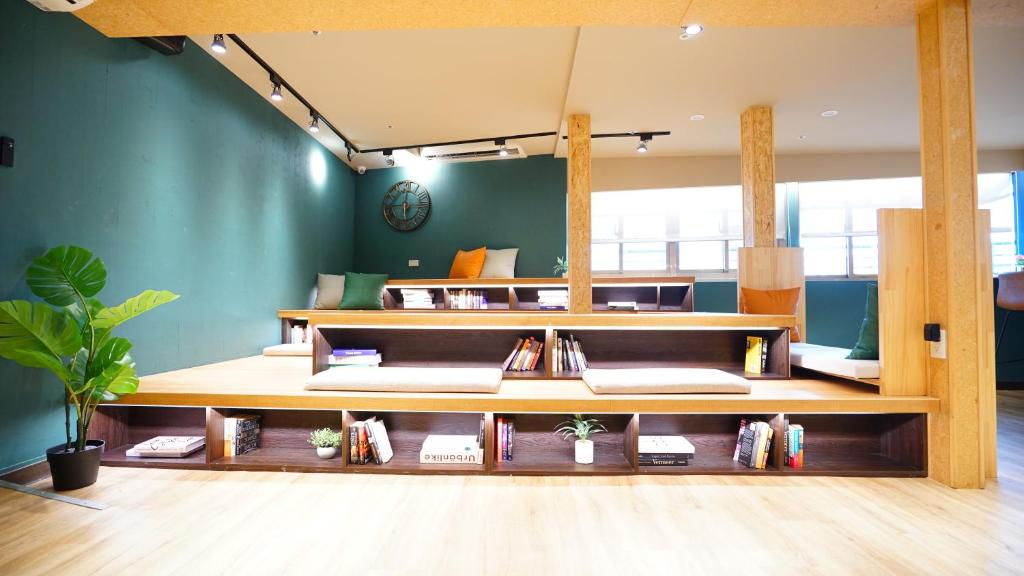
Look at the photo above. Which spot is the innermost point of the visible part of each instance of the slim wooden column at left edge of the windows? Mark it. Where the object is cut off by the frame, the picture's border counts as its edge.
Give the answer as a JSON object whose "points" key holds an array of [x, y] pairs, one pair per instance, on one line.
{"points": [[581, 296]]}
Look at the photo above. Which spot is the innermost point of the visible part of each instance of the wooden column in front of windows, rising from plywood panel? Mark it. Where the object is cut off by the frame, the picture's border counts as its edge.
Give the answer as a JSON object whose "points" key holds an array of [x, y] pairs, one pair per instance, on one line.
{"points": [[757, 157]]}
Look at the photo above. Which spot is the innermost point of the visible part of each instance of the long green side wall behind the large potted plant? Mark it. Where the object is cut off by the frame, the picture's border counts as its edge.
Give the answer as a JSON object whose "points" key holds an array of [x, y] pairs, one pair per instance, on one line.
{"points": [[180, 177]]}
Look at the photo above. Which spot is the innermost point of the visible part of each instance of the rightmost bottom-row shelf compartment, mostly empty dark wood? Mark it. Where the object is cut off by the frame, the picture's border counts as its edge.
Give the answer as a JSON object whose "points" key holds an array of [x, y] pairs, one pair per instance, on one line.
{"points": [[887, 445]]}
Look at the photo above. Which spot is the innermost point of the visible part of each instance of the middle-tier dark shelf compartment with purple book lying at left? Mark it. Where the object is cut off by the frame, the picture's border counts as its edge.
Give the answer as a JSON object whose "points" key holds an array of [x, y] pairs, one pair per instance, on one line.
{"points": [[454, 348]]}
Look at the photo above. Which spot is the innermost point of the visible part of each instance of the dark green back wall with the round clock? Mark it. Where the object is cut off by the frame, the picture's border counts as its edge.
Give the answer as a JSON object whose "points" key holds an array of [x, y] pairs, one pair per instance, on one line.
{"points": [[501, 204]]}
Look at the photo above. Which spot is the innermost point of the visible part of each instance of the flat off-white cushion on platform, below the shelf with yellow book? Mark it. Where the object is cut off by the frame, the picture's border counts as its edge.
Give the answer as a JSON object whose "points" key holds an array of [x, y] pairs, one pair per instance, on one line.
{"points": [[664, 381]]}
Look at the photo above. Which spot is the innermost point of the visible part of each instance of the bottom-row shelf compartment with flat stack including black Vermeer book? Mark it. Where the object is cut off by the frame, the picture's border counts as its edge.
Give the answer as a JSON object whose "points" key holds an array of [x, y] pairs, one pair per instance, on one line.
{"points": [[714, 440]]}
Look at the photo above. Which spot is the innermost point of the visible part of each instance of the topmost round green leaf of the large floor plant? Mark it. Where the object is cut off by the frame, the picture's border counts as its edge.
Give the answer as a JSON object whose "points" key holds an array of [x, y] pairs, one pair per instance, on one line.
{"points": [[64, 273]]}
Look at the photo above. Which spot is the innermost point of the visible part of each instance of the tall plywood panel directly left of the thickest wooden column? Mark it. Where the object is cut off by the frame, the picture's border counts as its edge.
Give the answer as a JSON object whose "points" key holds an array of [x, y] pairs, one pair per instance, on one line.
{"points": [[903, 351]]}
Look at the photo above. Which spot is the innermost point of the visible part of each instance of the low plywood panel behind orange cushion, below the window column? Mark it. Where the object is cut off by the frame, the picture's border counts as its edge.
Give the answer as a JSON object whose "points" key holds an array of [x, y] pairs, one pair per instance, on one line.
{"points": [[775, 269]]}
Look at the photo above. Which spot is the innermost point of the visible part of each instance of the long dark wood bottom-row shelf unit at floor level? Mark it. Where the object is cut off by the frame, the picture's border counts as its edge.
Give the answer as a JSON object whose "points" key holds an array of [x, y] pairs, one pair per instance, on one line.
{"points": [[841, 444]]}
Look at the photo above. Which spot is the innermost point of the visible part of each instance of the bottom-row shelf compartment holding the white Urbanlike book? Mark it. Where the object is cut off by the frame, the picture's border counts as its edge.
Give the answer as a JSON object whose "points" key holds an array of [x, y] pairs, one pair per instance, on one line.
{"points": [[406, 432]]}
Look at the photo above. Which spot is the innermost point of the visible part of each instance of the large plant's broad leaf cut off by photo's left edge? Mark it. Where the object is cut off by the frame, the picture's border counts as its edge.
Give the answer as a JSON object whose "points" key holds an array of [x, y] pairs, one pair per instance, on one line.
{"points": [[38, 337]]}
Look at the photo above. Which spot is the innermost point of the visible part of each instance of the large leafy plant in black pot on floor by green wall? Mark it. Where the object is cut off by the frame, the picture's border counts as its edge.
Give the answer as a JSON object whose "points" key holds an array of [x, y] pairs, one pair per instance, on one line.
{"points": [[73, 340]]}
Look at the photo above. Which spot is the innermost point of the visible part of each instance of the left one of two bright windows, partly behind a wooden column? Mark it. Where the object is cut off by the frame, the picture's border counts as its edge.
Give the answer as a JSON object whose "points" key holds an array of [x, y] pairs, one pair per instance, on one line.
{"points": [[671, 231]]}
